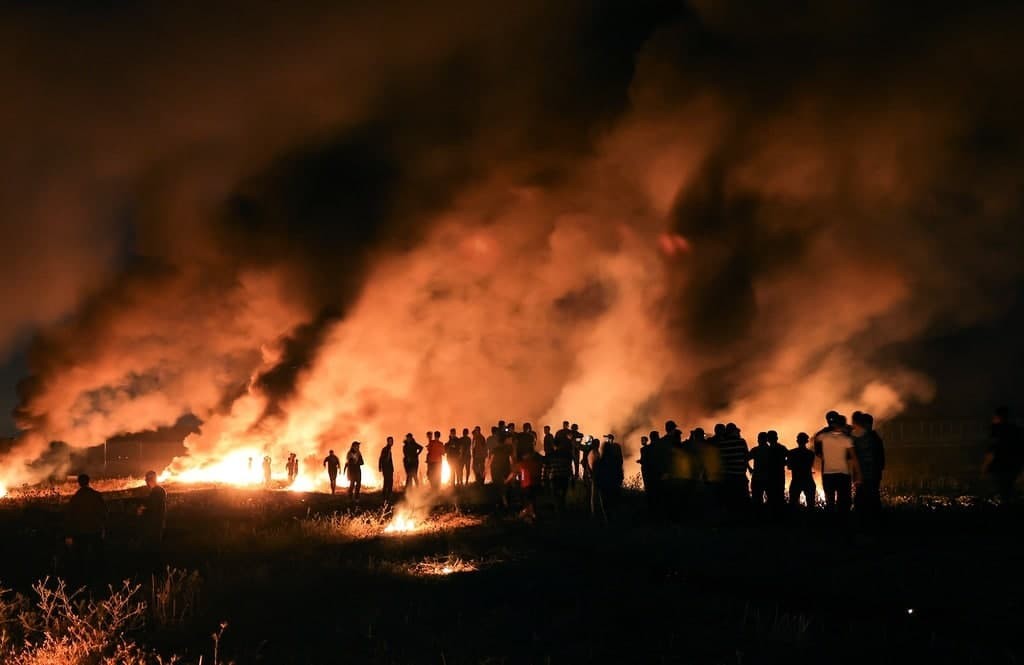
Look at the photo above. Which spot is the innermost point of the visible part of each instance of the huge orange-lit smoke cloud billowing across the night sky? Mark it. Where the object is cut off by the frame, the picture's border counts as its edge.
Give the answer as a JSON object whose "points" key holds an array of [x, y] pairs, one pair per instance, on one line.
{"points": [[337, 224]]}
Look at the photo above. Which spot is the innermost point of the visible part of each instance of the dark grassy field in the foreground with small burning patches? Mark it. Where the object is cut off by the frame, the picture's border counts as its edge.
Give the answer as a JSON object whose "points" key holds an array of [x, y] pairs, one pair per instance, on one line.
{"points": [[310, 578]]}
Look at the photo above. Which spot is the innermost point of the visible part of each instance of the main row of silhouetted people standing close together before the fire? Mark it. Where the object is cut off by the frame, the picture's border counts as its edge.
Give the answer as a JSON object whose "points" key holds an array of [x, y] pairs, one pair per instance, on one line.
{"points": [[679, 472]]}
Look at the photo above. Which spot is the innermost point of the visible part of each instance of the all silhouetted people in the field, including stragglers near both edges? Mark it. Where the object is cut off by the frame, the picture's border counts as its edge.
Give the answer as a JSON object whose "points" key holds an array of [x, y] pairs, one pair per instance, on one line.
{"points": [[681, 475]]}
